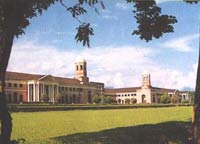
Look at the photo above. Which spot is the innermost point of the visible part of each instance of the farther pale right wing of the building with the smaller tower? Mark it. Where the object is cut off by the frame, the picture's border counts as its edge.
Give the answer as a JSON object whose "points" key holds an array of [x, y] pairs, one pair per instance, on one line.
{"points": [[146, 93]]}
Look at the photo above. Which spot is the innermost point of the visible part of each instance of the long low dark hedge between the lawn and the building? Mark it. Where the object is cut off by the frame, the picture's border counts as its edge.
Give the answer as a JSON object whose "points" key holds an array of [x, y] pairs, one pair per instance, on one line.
{"points": [[47, 107]]}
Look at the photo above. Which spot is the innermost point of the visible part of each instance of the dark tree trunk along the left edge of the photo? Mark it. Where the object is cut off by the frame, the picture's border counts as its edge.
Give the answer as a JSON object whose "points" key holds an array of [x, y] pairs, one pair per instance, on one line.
{"points": [[6, 41]]}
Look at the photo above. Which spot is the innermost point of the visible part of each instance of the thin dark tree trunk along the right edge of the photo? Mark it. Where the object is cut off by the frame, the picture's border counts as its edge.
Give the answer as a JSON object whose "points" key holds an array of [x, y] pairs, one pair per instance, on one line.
{"points": [[196, 108]]}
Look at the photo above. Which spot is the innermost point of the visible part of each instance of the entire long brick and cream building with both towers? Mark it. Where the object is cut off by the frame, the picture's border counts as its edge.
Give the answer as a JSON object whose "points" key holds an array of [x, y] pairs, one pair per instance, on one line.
{"points": [[22, 87]]}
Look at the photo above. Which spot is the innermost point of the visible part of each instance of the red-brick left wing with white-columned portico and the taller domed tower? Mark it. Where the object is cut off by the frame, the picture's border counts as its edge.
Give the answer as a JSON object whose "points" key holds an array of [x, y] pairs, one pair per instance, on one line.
{"points": [[22, 87]]}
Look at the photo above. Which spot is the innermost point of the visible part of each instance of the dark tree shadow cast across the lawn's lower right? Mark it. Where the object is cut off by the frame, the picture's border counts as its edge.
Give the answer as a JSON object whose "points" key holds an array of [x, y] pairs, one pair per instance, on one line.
{"points": [[173, 132]]}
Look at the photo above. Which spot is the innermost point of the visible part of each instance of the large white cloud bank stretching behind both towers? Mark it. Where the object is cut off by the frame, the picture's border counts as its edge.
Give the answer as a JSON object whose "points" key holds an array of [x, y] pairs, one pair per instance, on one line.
{"points": [[115, 66]]}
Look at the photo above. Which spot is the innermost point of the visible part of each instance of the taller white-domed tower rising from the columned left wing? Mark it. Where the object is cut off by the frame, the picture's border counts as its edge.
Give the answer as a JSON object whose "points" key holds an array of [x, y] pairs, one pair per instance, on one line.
{"points": [[81, 70]]}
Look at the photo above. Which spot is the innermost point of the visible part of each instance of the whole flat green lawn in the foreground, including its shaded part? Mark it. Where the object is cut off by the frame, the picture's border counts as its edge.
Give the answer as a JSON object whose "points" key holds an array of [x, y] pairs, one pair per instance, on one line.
{"points": [[125, 126]]}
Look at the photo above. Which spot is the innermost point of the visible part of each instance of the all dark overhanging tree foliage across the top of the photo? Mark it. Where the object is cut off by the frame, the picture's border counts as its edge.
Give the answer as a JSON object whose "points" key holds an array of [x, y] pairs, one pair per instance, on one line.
{"points": [[16, 14]]}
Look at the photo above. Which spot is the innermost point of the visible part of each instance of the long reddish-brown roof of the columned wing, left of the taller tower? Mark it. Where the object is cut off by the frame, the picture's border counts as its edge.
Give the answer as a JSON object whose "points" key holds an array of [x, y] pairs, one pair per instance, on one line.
{"points": [[26, 77]]}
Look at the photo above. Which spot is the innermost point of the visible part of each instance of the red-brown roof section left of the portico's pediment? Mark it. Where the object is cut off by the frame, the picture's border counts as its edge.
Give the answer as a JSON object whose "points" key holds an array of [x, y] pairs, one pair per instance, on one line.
{"points": [[22, 76]]}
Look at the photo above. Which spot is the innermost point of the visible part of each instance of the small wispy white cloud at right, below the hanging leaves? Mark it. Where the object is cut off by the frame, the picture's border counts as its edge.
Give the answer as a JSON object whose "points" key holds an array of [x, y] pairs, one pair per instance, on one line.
{"points": [[182, 44]]}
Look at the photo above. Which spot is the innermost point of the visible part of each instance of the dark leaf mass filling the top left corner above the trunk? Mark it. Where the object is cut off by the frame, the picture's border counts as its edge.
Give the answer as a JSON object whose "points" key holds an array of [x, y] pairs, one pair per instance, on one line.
{"points": [[15, 14]]}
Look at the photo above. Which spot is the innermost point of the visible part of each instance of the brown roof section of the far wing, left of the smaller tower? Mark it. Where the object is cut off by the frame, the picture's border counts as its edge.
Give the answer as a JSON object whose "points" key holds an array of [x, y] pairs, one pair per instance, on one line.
{"points": [[122, 90]]}
